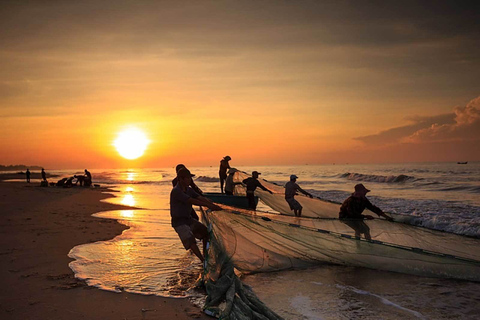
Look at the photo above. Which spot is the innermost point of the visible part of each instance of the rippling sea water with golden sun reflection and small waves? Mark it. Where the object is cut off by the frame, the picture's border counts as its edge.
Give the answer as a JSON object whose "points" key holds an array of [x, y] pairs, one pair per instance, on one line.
{"points": [[148, 258]]}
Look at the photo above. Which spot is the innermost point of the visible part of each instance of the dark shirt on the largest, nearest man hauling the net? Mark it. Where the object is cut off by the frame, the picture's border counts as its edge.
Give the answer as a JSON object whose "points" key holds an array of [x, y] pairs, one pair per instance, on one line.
{"points": [[180, 208]]}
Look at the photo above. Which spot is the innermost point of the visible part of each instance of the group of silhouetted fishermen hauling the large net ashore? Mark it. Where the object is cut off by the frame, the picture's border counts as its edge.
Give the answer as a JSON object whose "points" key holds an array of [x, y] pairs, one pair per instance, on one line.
{"points": [[186, 193]]}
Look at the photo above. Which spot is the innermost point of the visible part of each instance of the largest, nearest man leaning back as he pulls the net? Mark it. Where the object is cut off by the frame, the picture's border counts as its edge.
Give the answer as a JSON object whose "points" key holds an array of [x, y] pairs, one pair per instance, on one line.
{"points": [[182, 197]]}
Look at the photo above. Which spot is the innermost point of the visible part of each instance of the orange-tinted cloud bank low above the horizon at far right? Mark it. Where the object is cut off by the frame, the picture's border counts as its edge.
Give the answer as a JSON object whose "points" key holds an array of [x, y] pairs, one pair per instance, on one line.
{"points": [[461, 125]]}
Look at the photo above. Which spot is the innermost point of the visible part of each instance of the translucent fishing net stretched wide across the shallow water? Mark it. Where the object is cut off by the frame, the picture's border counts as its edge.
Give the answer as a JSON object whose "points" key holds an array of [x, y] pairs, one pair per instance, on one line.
{"points": [[260, 241]]}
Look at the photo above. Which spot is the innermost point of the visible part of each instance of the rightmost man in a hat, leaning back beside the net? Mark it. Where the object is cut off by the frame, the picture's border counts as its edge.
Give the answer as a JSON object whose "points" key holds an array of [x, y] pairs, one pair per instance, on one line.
{"points": [[352, 208]]}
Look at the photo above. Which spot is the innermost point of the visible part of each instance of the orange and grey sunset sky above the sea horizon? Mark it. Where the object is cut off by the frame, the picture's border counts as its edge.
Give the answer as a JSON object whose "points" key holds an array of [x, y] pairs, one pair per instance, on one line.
{"points": [[265, 82]]}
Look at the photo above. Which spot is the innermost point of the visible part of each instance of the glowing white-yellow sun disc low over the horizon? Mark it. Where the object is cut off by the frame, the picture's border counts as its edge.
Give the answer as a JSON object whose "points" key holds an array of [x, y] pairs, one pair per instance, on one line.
{"points": [[131, 143]]}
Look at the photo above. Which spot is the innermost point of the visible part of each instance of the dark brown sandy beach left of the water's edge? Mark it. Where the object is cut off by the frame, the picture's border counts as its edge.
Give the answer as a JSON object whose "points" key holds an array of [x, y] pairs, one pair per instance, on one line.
{"points": [[39, 226]]}
